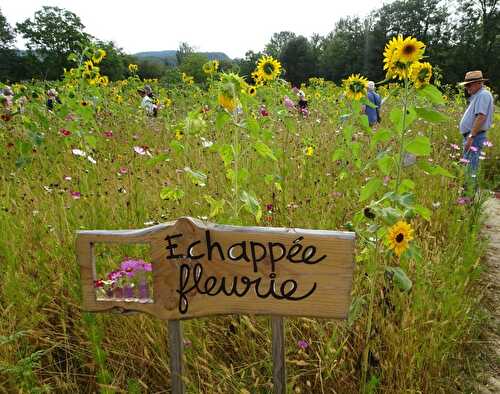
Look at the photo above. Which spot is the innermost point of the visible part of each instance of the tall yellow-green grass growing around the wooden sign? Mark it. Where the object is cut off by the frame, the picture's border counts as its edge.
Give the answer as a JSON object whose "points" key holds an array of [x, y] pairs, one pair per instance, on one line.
{"points": [[422, 341]]}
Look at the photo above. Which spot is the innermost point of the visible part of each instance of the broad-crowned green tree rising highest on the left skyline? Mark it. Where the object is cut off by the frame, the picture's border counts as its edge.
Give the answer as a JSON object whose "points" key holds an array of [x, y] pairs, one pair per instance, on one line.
{"points": [[51, 36]]}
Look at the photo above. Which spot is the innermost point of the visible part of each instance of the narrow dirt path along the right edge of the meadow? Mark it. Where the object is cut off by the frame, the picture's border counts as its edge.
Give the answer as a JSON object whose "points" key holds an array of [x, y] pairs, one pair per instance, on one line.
{"points": [[492, 281]]}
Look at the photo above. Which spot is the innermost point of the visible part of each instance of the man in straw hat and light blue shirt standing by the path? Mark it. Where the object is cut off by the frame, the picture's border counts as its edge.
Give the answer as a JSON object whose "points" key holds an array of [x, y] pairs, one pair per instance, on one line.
{"points": [[477, 118]]}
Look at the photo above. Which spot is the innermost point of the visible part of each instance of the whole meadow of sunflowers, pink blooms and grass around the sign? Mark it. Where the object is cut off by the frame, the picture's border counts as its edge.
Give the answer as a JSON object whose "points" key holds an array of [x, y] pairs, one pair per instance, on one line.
{"points": [[239, 153]]}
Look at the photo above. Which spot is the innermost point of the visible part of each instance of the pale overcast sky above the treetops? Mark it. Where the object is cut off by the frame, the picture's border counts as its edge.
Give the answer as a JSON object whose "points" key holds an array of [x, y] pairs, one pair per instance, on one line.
{"points": [[229, 26]]}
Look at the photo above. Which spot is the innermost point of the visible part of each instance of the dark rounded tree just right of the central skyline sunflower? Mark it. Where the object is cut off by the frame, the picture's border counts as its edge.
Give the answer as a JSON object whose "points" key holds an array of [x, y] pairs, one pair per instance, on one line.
{"points": [[298, 60]]}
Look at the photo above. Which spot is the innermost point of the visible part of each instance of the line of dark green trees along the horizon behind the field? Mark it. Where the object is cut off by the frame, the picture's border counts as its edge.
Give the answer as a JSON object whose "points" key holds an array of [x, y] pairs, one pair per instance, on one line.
{"points": [[460, 35]]}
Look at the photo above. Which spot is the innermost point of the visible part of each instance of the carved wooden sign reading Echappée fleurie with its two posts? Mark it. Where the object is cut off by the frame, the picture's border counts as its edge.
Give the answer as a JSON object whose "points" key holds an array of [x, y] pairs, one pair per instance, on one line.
{"points": [[202, 269]]}
